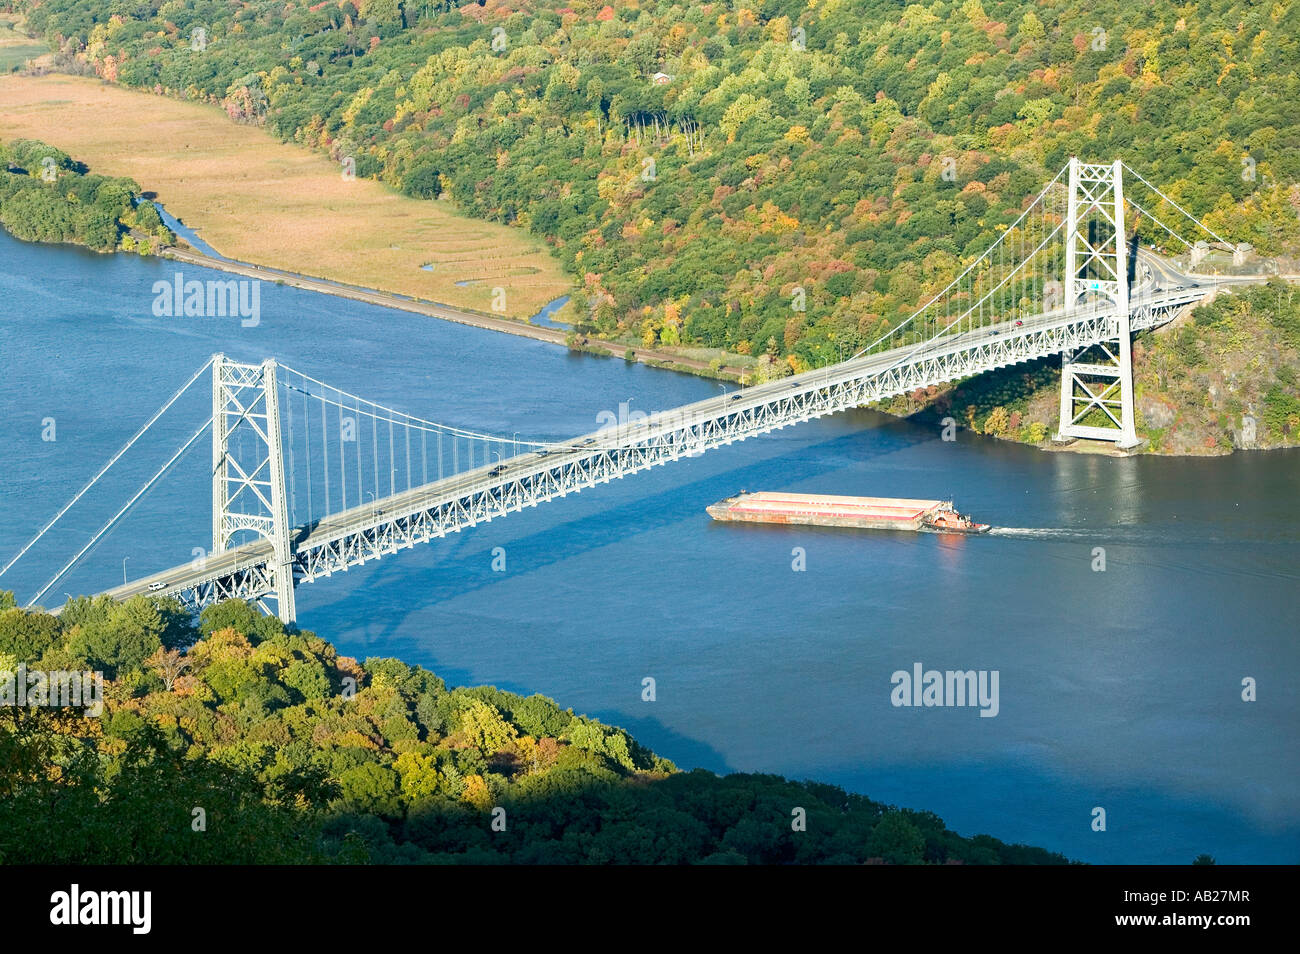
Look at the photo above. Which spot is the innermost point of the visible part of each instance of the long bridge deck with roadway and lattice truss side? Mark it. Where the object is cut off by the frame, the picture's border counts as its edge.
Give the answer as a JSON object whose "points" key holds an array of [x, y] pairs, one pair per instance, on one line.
{"points": [[382, 527]]}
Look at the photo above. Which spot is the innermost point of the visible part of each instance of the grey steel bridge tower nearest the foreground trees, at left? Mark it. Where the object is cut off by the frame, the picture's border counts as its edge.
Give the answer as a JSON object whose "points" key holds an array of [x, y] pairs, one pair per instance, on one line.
{"points": [[249, 483]]}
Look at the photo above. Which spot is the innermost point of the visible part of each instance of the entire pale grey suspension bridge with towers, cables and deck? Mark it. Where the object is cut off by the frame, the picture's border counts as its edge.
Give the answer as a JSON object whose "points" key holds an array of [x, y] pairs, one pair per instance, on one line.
{"points": [[310, 480]]}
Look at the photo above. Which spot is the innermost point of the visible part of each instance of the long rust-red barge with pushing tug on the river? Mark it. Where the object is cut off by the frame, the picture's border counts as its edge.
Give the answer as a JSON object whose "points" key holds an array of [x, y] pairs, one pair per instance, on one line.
{"points": [[829, 510]]}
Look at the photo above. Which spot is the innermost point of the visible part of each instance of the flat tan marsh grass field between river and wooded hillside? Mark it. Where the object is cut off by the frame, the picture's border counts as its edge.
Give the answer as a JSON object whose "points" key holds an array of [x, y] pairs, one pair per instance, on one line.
{"points": [[278, 205]]}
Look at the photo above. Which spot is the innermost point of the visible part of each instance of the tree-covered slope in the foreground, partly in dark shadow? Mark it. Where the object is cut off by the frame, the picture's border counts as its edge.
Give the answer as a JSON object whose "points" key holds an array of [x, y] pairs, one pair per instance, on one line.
{"points": [[245, 743]]}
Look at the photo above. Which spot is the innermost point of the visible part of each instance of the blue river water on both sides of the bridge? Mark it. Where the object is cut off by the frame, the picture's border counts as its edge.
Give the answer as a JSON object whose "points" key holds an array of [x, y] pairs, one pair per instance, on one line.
{"points": [[1120, 690]]}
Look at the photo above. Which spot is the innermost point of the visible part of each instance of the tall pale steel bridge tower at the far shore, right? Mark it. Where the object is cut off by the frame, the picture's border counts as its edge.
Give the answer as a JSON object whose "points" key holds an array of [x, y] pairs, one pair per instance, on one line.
{"points": [[1097, 270]]}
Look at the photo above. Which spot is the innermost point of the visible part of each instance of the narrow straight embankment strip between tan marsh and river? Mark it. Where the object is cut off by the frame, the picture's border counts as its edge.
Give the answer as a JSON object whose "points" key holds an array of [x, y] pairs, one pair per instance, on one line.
{"points": [[447, 313]]}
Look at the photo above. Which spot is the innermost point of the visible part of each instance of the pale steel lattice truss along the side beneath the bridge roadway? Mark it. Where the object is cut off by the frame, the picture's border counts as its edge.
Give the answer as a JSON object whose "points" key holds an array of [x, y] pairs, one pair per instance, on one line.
{"points": [[658, 441]]}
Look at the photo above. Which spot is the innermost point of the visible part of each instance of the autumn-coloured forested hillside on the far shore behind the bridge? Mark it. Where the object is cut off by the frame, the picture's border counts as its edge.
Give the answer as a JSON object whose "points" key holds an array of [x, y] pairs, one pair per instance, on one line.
{"points": [[777, 179]]}
